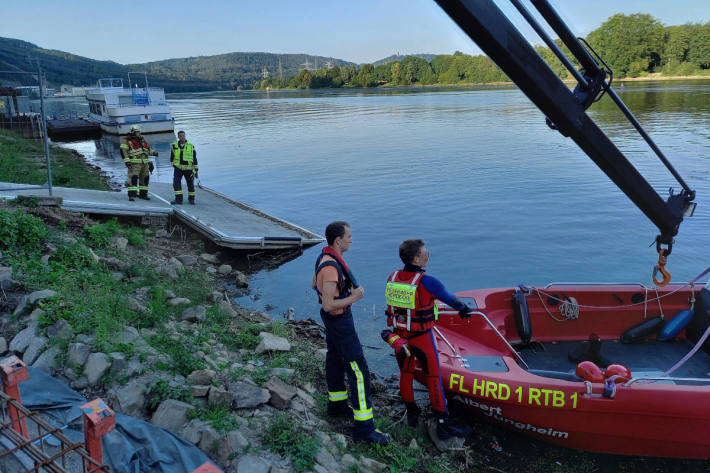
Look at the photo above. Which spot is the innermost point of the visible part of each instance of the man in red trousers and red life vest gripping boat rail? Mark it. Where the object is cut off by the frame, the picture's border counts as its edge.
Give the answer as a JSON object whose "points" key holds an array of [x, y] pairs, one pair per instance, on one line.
{"points": [[411, 313]]}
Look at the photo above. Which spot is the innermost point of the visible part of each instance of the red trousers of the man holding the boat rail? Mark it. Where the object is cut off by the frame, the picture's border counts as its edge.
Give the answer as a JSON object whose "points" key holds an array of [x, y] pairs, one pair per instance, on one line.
{"points": [[422, 346]]}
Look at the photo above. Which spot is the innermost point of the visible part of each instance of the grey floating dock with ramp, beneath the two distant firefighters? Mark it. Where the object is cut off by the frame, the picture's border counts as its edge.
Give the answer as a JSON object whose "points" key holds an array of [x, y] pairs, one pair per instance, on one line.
{"points": [[224, 221]]}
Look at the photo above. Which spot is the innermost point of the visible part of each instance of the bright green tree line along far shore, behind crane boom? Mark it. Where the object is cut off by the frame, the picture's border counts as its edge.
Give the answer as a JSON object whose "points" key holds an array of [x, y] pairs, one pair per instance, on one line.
{"points": [[632, 45]]}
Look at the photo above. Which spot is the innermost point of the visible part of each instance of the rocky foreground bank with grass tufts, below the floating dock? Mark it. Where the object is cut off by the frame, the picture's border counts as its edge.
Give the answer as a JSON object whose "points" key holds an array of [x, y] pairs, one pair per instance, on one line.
{"points": [[222, 398]]}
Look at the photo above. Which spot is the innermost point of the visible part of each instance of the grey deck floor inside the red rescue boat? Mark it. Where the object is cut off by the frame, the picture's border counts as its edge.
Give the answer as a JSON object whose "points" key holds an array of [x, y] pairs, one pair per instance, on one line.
{"points": [[650, 356]]}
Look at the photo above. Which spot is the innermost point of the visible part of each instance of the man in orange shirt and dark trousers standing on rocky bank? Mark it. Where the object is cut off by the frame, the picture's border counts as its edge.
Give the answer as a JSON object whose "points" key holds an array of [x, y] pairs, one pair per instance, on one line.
{"points": [[337, 290]]}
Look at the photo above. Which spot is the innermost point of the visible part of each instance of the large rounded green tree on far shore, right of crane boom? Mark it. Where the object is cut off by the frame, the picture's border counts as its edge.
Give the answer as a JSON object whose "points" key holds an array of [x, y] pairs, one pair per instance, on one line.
{"points": [[623, 40]]}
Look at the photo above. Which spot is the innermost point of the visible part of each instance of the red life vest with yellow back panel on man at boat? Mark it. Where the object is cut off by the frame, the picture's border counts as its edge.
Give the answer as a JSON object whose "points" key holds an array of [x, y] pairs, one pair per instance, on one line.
{"points": [[410, 306]]}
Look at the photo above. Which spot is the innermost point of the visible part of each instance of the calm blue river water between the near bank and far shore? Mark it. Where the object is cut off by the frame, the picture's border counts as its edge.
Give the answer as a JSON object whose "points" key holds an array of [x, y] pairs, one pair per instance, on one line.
{"points": [[499, 197]]}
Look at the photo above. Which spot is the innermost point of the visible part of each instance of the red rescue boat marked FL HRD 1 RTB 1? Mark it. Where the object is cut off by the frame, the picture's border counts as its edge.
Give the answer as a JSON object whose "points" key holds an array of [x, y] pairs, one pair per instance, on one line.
{"points": [[511, 364]]}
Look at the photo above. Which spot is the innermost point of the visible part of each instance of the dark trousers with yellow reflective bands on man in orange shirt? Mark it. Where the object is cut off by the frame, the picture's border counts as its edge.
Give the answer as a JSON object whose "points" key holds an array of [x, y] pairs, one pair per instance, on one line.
{"points": [[345, 357]]}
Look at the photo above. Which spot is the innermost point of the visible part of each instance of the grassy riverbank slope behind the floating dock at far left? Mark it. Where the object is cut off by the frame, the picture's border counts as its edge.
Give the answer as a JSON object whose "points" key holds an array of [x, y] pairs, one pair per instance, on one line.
{"points": [[22, 161]]}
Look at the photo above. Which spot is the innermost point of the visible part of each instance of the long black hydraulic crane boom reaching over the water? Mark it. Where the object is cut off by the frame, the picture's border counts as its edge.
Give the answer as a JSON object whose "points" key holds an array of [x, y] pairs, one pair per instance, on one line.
{"points": [[565, 109]]}
